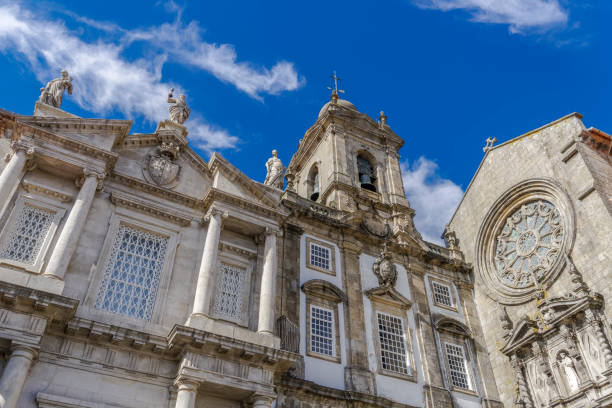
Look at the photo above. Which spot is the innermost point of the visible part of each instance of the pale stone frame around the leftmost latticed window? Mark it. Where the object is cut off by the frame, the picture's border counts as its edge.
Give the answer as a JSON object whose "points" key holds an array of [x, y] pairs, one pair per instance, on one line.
{"points": [[38, 202]]}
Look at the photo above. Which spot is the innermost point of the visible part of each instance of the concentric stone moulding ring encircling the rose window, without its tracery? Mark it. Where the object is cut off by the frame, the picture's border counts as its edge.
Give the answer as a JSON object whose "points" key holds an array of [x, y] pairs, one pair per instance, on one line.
{"points": [[508, 202]]}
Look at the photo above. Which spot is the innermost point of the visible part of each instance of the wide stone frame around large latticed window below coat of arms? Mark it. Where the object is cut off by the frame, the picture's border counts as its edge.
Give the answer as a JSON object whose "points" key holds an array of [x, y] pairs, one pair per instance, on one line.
{"points": [[137, 220]]}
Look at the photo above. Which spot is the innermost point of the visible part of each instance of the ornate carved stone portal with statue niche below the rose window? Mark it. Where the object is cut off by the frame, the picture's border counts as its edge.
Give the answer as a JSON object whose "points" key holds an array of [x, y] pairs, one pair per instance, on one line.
{"points": [[560, 355]]}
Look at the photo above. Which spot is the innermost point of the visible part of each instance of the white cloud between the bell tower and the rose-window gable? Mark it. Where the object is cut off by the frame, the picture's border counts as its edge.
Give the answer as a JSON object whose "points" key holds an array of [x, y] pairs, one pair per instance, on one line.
{"points": [[433, 198]]}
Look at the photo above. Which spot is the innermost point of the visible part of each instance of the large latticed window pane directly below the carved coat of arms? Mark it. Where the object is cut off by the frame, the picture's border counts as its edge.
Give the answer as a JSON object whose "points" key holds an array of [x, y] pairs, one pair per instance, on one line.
{"points": [[132, 273]]}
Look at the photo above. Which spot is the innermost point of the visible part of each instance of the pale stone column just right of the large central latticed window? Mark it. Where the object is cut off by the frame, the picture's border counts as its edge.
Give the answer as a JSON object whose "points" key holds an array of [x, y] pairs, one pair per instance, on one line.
{"points": [[201, 303]]}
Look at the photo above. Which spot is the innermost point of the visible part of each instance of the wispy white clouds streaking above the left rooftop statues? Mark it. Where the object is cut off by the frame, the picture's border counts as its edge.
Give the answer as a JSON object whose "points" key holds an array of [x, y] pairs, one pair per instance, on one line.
{"points": [[105, 79]]}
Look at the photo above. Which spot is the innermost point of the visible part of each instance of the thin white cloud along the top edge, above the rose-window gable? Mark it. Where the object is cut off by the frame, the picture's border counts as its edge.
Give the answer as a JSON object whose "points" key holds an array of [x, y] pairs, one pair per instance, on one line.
{"points": [[520, 15]]}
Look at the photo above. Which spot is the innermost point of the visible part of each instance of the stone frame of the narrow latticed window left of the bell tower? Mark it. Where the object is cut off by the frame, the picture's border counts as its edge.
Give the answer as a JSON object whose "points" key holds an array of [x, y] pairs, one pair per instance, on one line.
{"points": [[242, 263]]}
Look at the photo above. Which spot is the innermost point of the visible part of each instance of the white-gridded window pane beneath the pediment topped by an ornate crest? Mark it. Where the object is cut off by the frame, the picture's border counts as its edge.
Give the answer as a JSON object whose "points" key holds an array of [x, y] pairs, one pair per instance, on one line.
{"points": [[392, 344]]}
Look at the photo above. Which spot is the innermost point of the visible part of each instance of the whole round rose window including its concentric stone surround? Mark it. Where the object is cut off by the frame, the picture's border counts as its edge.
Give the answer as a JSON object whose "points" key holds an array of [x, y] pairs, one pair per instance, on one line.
{"points": [[522, 239]]}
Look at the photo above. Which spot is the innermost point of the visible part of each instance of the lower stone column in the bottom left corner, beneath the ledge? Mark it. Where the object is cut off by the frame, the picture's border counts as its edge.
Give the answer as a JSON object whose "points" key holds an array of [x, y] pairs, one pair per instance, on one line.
{"points": [[15, 374]]}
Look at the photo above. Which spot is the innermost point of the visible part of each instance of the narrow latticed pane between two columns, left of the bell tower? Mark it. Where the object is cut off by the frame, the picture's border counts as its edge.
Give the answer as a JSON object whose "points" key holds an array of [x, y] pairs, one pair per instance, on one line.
{"points": [[228, 302]]}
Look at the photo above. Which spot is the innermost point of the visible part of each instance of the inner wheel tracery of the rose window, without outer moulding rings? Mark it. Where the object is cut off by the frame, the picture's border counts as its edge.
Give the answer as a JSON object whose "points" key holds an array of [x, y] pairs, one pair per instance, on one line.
{"points": [[528, 244]]}
